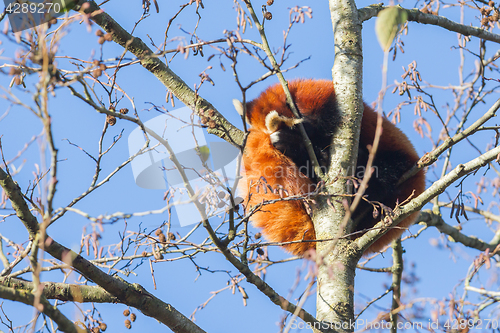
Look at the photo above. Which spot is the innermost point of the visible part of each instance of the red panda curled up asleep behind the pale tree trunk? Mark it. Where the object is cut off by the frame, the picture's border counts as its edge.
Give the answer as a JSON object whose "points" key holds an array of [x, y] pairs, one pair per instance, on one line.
{"points": [[275, 158]]}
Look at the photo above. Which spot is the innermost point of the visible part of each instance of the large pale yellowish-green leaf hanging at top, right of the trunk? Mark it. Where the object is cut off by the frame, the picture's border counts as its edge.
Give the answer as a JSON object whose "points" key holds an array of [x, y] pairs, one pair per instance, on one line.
{"points": [[387, 26]]}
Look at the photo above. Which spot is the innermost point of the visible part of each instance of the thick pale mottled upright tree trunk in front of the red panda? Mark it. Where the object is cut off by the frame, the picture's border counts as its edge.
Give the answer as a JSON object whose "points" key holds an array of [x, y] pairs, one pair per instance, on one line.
{"points": [[336, 271]]}
